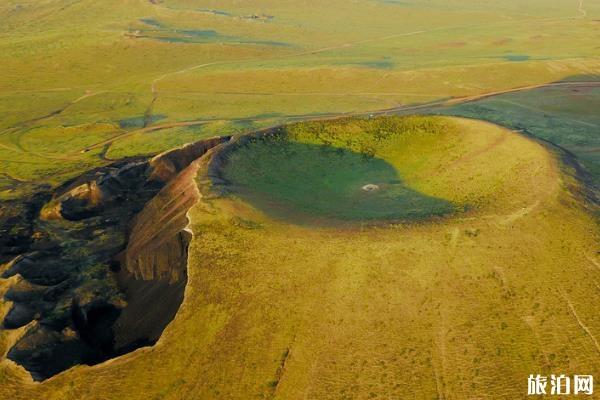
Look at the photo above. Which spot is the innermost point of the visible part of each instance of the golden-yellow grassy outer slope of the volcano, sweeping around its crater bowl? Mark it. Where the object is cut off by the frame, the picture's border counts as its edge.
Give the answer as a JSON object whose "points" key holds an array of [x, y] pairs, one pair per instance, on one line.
{"points": [[464, 307]]}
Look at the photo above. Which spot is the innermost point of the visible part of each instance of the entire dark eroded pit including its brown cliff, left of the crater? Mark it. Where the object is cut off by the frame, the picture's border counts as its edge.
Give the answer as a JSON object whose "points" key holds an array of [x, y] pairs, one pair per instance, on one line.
{"points": [[87, 267]]}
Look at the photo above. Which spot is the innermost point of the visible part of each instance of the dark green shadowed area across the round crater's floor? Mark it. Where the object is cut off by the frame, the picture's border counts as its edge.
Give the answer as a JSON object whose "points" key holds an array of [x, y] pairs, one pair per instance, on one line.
{"points": [[320, 184]]}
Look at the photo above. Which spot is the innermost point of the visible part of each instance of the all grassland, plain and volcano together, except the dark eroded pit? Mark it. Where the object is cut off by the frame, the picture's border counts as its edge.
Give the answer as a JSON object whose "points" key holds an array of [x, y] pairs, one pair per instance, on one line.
{"points": [[464, 306]]}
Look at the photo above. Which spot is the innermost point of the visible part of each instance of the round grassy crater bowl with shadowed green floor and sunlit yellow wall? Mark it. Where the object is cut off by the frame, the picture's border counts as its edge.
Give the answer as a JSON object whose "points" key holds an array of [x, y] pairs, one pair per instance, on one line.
{"points": [[319, 170]]}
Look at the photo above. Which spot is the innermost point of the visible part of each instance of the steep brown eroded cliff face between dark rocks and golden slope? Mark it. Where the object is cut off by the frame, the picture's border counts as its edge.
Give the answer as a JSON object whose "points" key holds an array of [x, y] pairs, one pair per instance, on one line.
{"points": [[154, 264]]}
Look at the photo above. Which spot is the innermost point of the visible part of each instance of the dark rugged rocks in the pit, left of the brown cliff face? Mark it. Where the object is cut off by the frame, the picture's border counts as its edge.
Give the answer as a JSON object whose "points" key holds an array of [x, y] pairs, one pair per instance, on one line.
{"points": [[66, 298]]}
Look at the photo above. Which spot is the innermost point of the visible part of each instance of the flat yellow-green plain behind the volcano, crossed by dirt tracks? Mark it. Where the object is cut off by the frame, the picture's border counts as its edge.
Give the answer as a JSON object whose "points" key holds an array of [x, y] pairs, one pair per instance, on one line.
{"points": [[309, 59]]}
